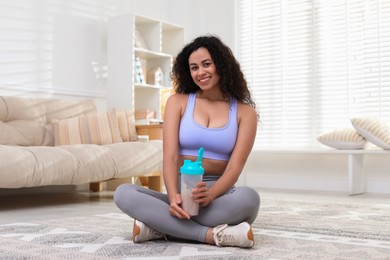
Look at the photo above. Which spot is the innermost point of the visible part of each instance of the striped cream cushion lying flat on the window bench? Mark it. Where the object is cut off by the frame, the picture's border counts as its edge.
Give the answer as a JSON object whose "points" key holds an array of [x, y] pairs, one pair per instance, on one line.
{"points": [[343, 139]]}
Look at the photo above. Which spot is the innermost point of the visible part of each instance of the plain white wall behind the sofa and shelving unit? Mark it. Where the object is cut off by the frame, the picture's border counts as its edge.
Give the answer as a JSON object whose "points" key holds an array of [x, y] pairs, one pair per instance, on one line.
{"points": [[57, 48]]}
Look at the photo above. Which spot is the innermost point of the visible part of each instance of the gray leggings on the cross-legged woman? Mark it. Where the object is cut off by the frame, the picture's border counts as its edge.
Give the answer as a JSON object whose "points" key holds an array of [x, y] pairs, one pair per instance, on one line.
{"points": [[237, 205]]}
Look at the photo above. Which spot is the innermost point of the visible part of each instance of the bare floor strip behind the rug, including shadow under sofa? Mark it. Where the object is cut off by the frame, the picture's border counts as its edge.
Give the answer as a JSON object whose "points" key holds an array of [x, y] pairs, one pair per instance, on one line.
{"points": [[42, 203]]}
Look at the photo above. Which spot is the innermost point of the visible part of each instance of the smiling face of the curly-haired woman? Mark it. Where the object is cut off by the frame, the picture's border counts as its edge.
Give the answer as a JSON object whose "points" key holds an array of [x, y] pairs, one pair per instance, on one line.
{"points": [[203, 70]]}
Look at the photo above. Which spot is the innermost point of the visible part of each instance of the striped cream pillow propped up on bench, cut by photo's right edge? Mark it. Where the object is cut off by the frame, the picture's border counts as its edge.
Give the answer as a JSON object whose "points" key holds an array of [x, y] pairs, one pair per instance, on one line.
{"points": [[375, 130]]}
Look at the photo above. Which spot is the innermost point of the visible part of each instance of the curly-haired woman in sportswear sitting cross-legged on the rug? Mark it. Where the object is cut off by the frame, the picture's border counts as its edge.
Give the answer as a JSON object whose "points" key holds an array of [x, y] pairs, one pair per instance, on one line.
{"points": [[212, 108]]}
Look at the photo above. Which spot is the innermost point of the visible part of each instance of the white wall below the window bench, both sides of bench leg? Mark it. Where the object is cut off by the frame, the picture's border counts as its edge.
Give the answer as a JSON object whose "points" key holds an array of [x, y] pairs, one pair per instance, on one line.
{"points": [[320, 172]]}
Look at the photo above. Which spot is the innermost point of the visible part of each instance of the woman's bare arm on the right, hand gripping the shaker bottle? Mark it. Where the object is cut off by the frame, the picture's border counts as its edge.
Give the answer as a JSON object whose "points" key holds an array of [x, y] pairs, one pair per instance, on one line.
{"points": [[247, 127]]}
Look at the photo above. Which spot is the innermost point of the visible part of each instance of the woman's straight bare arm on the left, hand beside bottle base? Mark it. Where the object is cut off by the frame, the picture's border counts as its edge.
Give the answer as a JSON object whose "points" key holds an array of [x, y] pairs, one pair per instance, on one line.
{"points": [[174, 109]]}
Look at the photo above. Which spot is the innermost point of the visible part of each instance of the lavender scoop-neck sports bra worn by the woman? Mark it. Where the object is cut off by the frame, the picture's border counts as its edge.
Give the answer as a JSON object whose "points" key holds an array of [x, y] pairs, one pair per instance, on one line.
{"points": [[218, 143]]}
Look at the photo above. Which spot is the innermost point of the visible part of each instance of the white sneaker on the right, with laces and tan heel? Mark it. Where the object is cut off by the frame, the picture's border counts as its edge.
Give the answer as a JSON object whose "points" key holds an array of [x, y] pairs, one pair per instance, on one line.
{"points": [[240, 235]]}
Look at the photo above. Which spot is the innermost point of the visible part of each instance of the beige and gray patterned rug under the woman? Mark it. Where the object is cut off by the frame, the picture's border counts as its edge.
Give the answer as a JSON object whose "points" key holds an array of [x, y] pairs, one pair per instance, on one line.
{"points": [[285, 229]]}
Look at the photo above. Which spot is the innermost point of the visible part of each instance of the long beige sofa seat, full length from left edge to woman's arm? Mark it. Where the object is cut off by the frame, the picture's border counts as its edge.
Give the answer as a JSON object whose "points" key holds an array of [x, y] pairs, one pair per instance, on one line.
{"points": [[77, 164]]}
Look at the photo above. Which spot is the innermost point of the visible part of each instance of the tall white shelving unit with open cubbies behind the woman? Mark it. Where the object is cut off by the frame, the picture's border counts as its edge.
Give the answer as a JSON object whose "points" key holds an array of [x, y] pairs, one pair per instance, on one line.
{"points": [[155, 44]]}
